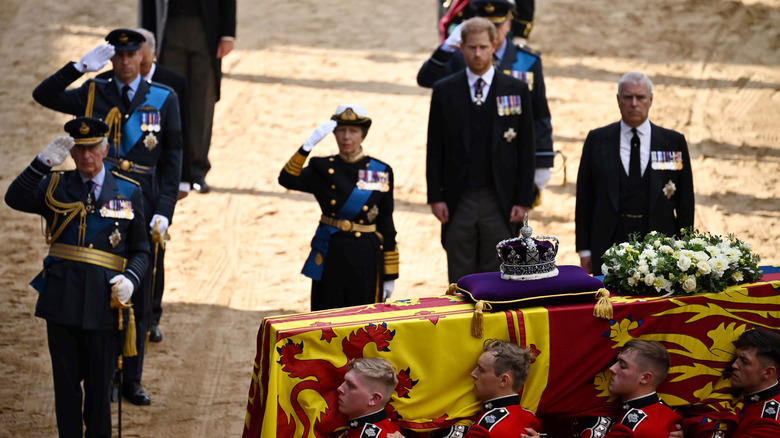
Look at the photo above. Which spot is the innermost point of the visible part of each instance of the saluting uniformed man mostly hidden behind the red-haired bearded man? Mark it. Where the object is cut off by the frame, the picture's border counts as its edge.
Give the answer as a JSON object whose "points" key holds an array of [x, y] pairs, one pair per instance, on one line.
{"points": [[514, 60]]}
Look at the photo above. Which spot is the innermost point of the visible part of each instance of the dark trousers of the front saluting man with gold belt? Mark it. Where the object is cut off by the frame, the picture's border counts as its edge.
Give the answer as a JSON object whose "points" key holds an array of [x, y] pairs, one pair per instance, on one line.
{"points": [[82, 355]]}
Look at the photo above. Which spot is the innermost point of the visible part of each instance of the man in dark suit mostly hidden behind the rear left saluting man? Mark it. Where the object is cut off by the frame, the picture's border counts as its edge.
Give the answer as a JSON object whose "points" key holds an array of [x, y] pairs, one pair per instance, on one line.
{"points": [[151, 71]]}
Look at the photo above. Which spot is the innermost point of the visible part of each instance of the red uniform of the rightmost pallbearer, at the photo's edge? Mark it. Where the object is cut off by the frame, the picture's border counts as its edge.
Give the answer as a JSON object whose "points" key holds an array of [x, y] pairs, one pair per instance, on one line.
{"points": [[759, 417]]}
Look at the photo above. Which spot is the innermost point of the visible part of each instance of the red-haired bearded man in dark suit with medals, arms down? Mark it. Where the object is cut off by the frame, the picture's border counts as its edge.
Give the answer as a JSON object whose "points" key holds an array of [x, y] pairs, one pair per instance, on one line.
{"points": [[480, 157]]}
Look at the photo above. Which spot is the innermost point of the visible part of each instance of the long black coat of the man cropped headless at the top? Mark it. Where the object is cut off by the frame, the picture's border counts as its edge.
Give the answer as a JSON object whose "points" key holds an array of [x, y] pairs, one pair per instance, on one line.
{"points": [[218, 18]]}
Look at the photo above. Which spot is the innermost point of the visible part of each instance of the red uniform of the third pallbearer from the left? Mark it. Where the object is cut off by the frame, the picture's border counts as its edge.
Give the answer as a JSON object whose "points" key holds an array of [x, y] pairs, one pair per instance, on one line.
{"points": [[645, 417]]}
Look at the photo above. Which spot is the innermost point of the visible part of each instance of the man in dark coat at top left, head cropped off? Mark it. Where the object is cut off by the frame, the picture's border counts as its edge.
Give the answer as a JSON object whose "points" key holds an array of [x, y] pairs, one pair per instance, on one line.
{"points": [[193, 38]]}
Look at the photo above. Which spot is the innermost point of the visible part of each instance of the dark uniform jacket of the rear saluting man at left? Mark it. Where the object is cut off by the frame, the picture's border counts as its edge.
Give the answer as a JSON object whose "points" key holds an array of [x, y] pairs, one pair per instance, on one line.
{"points": [[160, 193]]}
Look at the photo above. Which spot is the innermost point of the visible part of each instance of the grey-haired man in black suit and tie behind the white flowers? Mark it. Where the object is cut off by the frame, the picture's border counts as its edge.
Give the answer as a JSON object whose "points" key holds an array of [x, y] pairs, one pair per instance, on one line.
{"points": [[634, 177]]}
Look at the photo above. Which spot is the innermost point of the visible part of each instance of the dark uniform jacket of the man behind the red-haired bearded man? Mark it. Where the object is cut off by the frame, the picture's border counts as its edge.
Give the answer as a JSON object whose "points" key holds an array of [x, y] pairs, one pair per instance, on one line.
{"points": [[443, 63]]}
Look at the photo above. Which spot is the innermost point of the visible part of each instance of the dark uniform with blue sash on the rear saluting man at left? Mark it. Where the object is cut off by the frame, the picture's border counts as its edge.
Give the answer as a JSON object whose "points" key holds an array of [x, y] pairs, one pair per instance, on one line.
{"points": [[149, 151]]}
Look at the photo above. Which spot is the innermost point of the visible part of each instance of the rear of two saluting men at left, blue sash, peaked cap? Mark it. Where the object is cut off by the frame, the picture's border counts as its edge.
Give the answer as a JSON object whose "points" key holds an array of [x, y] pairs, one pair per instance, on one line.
{"points": [[146, 145]]}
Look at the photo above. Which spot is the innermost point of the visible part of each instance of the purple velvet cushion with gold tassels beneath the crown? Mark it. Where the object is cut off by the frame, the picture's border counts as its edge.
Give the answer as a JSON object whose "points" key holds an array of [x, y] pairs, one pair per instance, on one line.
{"points": [[571, 285]]}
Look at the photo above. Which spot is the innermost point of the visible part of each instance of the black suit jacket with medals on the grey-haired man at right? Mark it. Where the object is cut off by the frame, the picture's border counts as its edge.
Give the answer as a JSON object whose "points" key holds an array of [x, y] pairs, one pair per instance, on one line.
{"points": [[597, 207]]}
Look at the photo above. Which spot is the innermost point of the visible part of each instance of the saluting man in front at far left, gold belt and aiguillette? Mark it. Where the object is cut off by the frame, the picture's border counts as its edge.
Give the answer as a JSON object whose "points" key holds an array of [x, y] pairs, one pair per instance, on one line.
{"points": [[97, 232]]}
